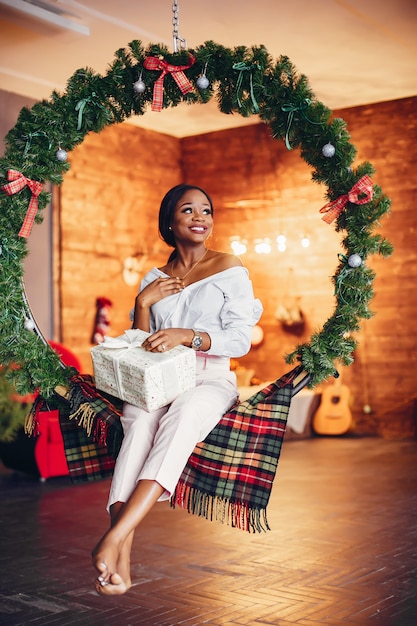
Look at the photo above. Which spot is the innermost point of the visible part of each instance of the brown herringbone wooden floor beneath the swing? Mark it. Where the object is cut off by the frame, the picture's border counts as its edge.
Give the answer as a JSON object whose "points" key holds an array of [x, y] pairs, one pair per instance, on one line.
{"points": [[342, 549]]}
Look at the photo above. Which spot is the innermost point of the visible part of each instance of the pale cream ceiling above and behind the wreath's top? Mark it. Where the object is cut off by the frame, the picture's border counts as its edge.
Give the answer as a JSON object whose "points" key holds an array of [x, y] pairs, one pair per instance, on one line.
{"points": [[354, 52]]}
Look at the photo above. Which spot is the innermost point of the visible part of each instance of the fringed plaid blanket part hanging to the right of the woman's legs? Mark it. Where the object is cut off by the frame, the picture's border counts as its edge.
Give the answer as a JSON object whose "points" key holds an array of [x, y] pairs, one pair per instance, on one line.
{"points": [[229, 476]]}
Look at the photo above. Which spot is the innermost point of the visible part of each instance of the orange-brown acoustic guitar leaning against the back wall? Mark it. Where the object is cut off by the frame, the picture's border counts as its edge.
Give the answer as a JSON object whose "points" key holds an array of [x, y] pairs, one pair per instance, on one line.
{"points": [[333, 416]]}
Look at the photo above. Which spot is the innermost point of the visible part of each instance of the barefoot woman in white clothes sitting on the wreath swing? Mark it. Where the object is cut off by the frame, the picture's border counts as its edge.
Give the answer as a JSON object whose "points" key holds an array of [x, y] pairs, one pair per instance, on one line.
{"points": [[202, 299]]}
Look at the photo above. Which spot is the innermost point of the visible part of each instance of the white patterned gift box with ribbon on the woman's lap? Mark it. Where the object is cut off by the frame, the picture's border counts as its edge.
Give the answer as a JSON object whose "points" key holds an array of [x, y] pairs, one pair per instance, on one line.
{"points": [[148, 380]]}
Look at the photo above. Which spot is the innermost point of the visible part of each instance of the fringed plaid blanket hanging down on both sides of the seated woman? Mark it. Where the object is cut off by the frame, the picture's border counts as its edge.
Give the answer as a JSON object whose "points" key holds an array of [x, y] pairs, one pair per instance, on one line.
{"points": [[229, 475]]}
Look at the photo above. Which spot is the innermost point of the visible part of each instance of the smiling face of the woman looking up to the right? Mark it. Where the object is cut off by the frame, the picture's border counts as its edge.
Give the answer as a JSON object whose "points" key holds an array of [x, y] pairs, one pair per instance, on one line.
{"points": [[192, 220]]}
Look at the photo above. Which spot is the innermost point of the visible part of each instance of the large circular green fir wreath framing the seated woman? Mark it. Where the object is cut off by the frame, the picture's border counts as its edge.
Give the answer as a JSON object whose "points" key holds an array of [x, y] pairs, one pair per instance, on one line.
{"points": [[245, 81]]}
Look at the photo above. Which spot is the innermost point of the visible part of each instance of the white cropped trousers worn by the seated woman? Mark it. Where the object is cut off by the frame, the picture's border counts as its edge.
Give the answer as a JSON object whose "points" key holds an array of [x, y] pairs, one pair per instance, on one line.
{"points": [[156, 445]]}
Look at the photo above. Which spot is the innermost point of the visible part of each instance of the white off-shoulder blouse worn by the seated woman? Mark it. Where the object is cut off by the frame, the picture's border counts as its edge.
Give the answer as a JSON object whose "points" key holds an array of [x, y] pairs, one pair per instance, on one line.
{"points": [[222, 305]]}
